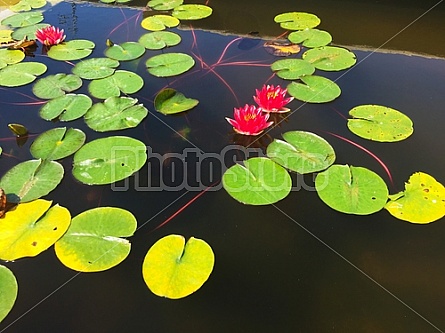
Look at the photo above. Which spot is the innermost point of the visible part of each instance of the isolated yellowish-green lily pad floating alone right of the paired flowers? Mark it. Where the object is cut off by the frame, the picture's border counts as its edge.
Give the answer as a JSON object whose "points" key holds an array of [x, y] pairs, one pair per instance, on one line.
{"points": [[379, 123]]}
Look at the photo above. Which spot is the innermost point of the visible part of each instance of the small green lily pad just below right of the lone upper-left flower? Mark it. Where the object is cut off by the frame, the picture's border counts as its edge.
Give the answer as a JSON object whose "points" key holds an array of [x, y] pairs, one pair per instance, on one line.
{"points": [[71, 50]]}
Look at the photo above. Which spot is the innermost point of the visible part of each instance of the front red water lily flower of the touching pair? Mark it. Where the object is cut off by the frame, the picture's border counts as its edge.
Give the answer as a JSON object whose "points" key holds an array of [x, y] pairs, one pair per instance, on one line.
{"points": [[249, 120]]}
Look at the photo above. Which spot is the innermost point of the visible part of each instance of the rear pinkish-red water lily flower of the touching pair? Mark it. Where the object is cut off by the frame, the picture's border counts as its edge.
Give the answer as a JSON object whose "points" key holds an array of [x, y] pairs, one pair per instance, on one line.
{"points": [[272, 99]]}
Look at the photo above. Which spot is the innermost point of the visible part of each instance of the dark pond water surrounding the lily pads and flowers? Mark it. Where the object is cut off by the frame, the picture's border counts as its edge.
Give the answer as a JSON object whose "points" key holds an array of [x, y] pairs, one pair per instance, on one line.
{"points": [[295, 266]]}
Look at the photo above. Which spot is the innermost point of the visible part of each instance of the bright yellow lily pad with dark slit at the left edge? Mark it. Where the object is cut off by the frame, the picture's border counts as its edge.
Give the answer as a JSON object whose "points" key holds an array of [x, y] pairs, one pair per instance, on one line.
{"points": [[32, 228]]}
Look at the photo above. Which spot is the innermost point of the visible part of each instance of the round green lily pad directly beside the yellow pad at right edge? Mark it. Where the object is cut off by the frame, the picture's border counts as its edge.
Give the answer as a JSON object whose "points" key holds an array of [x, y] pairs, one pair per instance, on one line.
{"points": [[351, 190]]}
